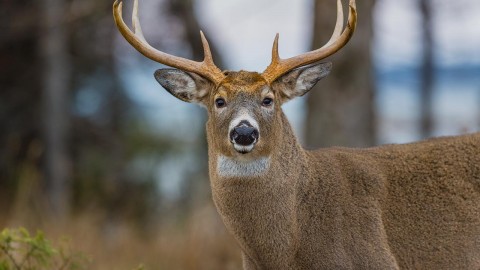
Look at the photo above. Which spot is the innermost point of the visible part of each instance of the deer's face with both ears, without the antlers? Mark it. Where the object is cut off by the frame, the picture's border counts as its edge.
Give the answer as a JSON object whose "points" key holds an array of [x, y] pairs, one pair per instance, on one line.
{"points": [[244, 109]]}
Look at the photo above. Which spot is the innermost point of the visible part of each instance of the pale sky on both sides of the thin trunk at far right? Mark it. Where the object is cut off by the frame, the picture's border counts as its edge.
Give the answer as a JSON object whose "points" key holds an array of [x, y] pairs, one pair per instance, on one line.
{"points": [[456, 31]]}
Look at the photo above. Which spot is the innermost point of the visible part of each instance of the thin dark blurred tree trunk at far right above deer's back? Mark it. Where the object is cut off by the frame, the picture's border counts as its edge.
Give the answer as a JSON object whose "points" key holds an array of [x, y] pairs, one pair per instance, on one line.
{"points": [[427, 70]]}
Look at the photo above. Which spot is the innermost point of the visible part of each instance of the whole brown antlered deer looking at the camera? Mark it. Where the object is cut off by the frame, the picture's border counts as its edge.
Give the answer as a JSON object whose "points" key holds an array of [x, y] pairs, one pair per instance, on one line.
{"points": [[413, 206]]}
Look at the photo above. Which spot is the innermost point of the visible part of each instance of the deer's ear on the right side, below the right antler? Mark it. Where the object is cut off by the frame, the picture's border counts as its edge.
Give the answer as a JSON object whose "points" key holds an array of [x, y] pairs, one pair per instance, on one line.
{"points": [[299, 81]]}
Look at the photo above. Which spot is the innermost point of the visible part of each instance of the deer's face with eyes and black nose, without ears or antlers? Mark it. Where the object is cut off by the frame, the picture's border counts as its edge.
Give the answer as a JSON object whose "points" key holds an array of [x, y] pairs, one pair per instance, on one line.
{"points": [[242, 113]]}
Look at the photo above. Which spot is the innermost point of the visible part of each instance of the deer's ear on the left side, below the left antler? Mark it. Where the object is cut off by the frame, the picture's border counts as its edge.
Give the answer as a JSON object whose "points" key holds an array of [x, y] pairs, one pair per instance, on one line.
{"points": [[186, 86]]}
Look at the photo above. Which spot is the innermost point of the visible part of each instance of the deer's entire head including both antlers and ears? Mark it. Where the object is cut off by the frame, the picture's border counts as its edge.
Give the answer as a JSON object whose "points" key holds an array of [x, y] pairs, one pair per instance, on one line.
{"points": [[244, 108]]}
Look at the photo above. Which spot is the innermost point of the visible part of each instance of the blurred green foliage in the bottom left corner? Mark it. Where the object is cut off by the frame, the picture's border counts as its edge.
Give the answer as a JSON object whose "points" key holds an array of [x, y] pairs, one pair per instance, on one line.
{"points": [[21, 251]]}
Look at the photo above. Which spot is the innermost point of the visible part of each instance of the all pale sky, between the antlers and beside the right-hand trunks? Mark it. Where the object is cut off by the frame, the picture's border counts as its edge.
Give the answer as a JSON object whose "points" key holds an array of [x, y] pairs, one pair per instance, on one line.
{"points": [[245, 30]]}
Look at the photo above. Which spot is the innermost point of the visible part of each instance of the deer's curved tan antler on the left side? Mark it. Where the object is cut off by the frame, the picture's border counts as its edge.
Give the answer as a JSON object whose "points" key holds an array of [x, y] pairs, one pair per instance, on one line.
{"points": [[206, 68]]}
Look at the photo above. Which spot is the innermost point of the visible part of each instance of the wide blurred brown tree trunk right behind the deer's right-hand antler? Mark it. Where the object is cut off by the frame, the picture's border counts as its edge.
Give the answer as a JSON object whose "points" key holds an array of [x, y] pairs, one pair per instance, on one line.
{"points": [[341, 107]]}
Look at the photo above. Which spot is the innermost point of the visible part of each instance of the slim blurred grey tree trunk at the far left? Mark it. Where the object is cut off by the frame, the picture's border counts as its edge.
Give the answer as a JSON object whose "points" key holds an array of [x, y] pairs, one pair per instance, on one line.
{"points": [[56, 82]]}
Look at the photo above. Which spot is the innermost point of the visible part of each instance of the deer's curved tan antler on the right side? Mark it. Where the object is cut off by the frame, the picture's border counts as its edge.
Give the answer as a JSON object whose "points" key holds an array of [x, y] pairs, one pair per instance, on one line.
{"points": [[279, 66]]}
